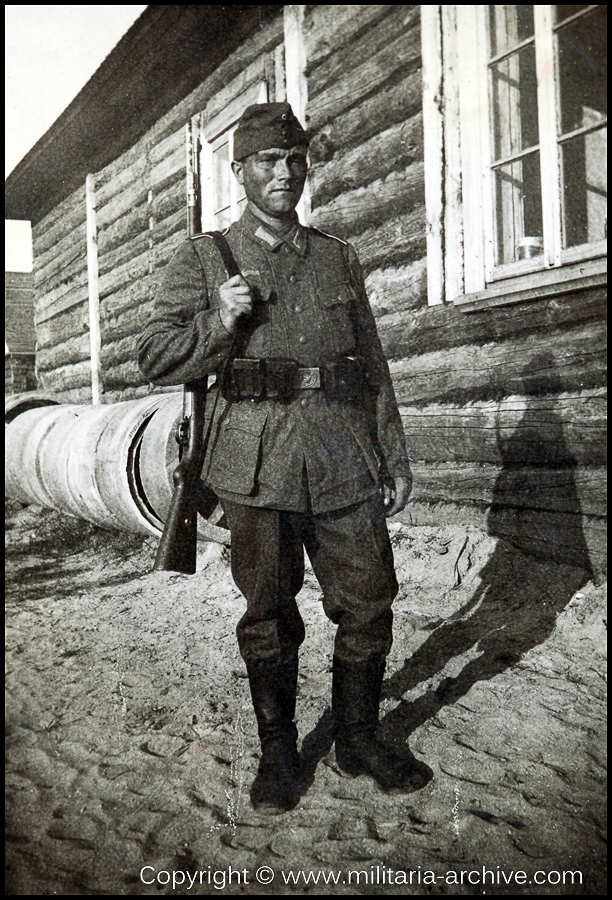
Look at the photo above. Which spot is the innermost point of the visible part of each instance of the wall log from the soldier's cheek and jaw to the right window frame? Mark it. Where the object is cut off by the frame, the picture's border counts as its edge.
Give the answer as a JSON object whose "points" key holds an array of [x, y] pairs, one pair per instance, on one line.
{"points": [[390, 151]]}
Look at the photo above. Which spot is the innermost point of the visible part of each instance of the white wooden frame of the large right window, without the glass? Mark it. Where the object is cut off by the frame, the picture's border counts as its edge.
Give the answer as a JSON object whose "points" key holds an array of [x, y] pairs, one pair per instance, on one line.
{"points": [[459, 182]]}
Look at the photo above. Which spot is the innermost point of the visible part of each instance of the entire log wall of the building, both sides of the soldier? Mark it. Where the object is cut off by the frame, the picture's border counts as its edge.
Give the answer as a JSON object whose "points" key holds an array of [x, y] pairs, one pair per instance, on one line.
{"points": [[503, 408]]}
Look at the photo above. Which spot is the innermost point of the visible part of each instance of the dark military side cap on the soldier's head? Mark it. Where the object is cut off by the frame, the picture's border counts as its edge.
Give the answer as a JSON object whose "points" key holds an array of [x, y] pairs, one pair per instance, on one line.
{"points": [[263, 126]]}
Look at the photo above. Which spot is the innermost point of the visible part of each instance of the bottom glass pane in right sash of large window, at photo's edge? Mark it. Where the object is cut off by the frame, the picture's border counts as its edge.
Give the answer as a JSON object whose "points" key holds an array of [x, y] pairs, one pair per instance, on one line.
{"points": [[584, 183]]}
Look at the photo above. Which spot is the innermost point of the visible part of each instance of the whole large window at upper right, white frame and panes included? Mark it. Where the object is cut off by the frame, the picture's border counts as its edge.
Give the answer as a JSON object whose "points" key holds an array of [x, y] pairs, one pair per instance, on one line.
{"points": [[529, 101]]}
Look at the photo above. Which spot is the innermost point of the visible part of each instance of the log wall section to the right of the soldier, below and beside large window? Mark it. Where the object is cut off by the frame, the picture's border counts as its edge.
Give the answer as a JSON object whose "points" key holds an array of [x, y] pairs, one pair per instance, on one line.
{"points": [[504, 408]]}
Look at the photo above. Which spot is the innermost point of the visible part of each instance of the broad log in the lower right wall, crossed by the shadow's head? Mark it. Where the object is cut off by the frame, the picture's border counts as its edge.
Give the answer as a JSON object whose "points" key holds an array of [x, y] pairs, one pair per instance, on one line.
{"points": [[537, 430]]}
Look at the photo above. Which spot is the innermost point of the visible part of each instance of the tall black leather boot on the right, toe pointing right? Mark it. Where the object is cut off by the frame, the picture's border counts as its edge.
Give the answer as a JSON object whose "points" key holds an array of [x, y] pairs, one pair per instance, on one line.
{"points": [[356, 691]]}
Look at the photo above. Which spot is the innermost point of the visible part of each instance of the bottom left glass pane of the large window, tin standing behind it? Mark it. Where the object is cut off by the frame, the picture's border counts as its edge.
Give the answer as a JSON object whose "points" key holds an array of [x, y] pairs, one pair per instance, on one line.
{"points": [[518, 208]]}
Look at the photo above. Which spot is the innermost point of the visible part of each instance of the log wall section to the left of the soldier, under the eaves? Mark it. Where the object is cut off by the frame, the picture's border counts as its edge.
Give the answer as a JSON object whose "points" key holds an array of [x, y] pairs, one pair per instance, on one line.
{"points": [[140, 216]]}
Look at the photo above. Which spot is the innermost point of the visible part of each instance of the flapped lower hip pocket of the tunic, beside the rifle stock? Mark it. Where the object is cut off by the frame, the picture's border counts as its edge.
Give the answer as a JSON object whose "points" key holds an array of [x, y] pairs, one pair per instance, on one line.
{"points": [[236, 456]]}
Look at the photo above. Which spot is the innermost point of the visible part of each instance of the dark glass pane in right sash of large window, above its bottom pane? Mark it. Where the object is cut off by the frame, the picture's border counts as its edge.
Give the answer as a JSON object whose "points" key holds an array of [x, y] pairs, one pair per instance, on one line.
{"points": [[582, 58]]}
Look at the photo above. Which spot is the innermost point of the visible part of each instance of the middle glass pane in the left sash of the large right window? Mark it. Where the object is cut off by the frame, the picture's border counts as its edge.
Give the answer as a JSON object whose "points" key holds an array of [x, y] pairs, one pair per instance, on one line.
{"points": [[515, 103]]}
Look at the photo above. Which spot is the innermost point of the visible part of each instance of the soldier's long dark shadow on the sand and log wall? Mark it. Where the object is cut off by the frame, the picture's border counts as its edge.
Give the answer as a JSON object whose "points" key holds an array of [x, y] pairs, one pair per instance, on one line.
{"points": [[540, 561]]}
